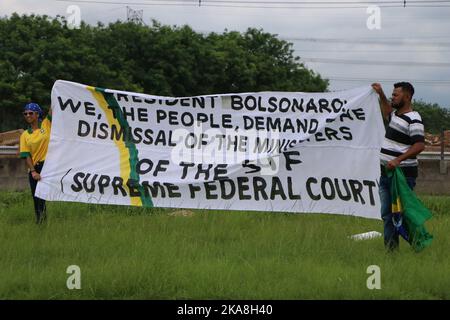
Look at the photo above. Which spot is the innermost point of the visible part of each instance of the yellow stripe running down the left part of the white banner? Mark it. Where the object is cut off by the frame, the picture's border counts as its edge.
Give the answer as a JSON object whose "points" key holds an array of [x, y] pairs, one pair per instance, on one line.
{"points": [[123, 150]]}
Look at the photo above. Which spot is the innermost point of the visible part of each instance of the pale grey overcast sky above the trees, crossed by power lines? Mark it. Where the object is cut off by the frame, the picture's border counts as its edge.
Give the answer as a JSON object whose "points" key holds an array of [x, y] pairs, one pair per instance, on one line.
{"points": [[347, 51]]}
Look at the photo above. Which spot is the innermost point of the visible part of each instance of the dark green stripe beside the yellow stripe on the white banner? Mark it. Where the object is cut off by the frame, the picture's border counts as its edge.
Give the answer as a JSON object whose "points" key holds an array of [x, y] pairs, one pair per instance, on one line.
{"points": [[134, 159]]}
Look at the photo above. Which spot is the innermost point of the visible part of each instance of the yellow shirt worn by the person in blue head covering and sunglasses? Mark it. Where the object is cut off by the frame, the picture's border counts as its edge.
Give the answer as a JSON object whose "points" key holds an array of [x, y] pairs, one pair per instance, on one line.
{"points": [[34, 143]]}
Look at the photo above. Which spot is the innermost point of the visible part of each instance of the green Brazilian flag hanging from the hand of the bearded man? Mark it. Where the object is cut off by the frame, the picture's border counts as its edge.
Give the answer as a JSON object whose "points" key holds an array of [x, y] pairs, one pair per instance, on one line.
{"points": [[409, 213]]}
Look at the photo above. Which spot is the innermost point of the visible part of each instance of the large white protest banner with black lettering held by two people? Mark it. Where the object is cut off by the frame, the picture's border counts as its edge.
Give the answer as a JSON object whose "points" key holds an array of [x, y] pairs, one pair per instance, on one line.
{"points": [[266, 151]]}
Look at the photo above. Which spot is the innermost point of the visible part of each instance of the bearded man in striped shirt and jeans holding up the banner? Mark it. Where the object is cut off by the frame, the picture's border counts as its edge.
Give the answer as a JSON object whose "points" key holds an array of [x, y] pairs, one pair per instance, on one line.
{"points": [[403, 141]]}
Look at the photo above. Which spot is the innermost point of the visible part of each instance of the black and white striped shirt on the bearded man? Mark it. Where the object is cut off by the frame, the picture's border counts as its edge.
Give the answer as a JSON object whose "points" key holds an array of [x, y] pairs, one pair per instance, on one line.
{"points": [[402, 132]]}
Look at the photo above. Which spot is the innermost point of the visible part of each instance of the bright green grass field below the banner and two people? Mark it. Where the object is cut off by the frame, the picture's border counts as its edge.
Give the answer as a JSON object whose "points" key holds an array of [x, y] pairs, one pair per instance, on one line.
{"points": [[134, 253]]}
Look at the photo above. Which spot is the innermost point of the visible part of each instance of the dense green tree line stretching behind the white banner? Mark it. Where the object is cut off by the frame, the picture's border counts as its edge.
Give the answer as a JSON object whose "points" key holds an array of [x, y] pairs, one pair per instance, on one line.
{"points": [[158, 59]]}
